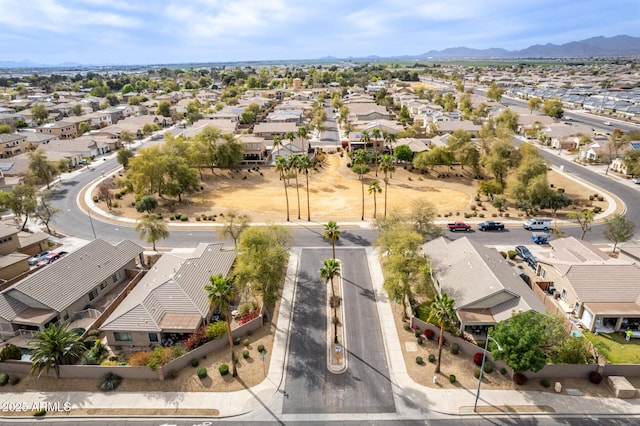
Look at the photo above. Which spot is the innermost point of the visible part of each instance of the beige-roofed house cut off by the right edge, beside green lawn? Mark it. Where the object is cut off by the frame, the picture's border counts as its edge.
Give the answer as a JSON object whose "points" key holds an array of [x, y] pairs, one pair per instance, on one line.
{"points": [[600, 292]]}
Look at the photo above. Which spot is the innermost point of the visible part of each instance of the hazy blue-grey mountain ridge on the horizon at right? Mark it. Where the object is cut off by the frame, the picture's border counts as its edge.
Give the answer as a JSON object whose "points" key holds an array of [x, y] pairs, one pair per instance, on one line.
{"points": [[622, 45]]}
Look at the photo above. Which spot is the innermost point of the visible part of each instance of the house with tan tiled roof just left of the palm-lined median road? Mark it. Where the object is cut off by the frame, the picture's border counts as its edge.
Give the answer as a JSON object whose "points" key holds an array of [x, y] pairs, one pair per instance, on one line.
{"points": [[170, 302]]}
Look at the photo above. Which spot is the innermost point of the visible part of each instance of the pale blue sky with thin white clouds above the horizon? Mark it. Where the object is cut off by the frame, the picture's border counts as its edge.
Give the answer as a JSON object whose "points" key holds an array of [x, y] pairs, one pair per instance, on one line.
{"points": [[178, 31]]}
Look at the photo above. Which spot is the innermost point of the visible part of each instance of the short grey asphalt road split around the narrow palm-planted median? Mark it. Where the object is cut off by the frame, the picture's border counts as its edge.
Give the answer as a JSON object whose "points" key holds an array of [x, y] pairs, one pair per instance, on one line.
{"points": [[365, 387]]}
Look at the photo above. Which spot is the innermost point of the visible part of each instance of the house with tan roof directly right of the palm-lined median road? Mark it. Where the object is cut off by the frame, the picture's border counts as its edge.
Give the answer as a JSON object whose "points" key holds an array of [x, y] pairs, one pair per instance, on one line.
{"points": [[484, 286]]}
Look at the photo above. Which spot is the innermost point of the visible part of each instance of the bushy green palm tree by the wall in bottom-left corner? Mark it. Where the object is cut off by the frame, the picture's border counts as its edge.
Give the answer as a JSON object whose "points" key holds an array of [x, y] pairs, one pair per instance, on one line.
{"points": [[55, 346]]}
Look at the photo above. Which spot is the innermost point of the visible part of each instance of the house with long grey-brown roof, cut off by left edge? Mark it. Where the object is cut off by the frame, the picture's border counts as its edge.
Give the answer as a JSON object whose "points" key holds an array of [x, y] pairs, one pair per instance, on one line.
{"points": [[67, 289]]}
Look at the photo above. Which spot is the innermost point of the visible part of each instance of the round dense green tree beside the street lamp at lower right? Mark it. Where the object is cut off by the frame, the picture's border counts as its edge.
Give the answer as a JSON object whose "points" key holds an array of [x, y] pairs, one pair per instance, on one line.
{"points": [[521, 338]]}
